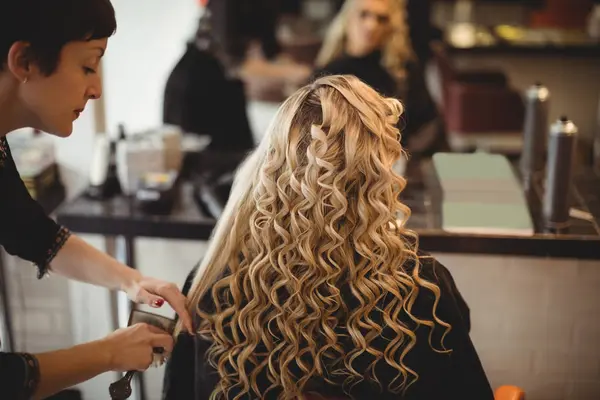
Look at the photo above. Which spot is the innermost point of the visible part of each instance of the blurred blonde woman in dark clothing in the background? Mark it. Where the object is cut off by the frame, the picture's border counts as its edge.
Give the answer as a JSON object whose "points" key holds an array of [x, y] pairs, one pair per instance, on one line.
{"points": [[371, 40]]}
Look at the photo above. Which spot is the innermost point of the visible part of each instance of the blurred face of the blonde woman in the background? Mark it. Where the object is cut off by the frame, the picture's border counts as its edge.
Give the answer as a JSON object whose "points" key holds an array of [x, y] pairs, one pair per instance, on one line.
{"points": [[368, 26]]}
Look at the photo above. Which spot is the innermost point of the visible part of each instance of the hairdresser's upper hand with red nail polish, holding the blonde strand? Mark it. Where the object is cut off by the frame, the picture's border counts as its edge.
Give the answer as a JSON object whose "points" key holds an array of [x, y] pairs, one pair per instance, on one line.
{"points": [[154, 292]]}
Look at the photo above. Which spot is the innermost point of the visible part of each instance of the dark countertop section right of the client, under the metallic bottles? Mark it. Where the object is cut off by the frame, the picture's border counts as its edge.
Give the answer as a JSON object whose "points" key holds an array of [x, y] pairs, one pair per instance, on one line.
{"points": [[581, 240]]}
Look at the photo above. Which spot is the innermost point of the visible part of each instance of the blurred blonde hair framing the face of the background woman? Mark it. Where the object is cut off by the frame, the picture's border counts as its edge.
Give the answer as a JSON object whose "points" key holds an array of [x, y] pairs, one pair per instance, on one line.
{"points": [[396, 51]]}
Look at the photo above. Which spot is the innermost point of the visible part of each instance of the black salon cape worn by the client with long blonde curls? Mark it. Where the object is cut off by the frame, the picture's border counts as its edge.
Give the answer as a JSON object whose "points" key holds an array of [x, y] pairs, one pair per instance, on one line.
{"points": [[459, 375]]}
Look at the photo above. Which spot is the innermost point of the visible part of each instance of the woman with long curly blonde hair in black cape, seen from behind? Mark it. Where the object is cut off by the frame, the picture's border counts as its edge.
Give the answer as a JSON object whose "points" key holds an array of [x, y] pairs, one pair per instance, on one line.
{"points": [[311, 283]]}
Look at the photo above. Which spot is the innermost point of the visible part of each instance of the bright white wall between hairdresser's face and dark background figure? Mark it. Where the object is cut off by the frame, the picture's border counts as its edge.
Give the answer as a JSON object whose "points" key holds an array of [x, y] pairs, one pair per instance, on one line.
{"points": [[151, 36]]}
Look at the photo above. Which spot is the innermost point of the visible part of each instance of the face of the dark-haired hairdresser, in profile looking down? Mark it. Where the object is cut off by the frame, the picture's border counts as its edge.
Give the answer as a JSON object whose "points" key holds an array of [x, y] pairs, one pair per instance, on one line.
{"points": [[55, 101]]}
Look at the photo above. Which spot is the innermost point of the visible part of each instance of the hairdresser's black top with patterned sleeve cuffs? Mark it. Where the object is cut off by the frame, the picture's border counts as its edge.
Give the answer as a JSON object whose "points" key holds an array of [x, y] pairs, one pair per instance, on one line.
{"points": [[28, 233]]}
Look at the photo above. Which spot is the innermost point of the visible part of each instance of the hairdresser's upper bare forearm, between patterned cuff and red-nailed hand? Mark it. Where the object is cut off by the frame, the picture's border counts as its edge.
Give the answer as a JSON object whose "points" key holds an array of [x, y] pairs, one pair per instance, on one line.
{"points": [[82, 262]]}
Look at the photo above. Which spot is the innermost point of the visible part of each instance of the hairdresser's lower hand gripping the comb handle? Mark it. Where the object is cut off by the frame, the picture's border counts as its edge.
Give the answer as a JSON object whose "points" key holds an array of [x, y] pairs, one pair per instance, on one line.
{"points": [[130, 349]]}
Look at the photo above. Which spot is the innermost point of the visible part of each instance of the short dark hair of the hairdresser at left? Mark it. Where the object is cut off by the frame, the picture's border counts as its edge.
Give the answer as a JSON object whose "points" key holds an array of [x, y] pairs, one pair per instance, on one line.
{"points": [[48, 25]]}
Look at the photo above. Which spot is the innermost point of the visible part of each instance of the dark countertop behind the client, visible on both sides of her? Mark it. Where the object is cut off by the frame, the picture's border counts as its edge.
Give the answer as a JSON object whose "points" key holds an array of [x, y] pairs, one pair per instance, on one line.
{"points": [[119, 217]]}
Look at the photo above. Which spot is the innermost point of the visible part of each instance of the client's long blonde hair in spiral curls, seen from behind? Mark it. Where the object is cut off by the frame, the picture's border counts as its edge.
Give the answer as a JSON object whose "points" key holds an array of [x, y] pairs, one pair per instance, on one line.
{"points": [[313, 208]]}
